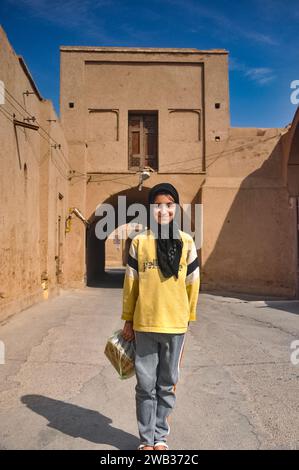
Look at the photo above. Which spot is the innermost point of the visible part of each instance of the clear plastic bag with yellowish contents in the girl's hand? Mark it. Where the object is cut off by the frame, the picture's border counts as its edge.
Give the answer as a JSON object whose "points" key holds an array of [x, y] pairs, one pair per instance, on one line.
{"points": [[121, 354]]}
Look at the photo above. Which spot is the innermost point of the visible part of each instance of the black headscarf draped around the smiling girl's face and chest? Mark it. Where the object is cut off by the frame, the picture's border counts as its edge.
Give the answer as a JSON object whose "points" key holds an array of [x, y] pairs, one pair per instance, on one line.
{"points": [[169, 249]]}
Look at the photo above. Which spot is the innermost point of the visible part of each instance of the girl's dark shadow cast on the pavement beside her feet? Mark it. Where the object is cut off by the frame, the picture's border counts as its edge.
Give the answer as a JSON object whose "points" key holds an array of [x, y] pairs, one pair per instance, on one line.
{"points": [[80, 422]]}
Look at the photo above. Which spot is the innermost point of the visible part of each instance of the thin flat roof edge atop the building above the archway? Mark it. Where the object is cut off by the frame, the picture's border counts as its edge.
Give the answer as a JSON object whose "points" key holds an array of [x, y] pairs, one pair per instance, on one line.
{"points": [[165, 50]]}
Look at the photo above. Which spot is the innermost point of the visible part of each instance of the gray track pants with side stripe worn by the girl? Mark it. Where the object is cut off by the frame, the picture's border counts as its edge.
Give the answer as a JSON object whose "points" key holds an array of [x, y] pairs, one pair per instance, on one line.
{"points": [[157, 364]]}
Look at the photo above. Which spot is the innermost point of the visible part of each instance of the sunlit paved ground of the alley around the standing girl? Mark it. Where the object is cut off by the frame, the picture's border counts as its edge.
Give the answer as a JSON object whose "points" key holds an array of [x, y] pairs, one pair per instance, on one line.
{"points": [[237, 389]]}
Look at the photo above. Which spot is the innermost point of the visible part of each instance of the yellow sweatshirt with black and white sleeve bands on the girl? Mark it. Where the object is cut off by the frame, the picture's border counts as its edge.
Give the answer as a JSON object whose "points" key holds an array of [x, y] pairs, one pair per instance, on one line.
{"points": [[155, 303]]}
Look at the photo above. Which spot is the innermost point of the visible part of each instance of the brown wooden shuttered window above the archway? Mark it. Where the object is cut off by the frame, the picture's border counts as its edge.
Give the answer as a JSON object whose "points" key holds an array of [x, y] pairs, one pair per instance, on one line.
{"points": [[143, 140]]}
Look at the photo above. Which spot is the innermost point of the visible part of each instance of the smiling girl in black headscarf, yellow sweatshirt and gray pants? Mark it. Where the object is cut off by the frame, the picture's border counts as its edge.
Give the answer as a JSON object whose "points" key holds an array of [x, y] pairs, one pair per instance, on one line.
{"points": [[160, 294]]}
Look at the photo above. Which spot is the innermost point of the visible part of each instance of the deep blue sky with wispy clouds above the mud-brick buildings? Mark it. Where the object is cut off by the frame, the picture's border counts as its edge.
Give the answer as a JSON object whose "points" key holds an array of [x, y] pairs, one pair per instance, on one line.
{"points": [[261, 37]]}
